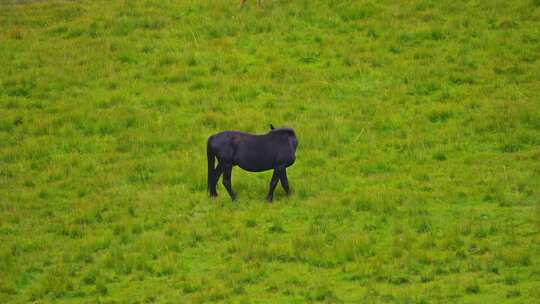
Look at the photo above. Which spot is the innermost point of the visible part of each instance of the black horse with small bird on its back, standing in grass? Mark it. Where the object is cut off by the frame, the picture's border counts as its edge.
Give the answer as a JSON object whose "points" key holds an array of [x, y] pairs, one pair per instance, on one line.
{"points": [[255, 153]]}
